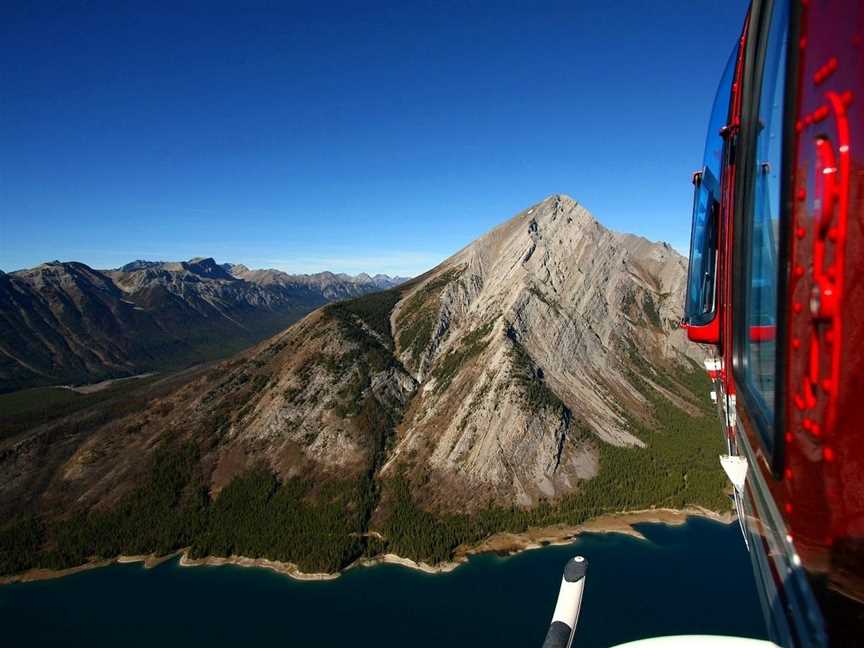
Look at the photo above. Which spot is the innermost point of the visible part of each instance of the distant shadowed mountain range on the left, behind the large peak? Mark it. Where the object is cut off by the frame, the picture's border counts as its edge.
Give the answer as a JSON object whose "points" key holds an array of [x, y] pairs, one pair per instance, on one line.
{"points": [[69, 323]]}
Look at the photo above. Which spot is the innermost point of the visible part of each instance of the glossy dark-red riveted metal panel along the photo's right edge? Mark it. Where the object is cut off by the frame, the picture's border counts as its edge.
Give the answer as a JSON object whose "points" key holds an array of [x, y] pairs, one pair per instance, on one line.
{"points": [[825, 453]]}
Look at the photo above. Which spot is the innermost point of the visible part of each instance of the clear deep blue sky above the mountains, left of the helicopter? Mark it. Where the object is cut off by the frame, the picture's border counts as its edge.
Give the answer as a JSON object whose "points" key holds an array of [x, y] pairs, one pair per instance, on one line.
{"points": [[334, 136]]}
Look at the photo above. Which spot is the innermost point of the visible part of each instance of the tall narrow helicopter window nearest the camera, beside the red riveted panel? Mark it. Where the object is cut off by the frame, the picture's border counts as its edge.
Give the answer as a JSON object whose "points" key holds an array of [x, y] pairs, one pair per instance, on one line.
{"points": [[761, 307]]}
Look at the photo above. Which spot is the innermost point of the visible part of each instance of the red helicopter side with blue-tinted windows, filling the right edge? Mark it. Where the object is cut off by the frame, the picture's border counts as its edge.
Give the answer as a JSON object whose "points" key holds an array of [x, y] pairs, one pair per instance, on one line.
{"points": [[776, 286]]}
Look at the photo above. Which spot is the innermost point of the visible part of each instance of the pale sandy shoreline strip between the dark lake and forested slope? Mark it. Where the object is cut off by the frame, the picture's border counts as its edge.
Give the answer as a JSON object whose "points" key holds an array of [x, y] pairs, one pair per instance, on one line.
{"points": [[502, 543]]}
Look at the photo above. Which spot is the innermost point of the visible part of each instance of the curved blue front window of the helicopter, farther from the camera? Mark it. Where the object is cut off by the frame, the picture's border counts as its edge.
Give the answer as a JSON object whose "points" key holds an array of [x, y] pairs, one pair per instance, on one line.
{"points": [[699, 306]]}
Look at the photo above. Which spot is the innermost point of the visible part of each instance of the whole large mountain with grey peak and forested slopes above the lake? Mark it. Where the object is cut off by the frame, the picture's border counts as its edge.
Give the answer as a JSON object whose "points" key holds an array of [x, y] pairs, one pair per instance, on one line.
{"points": [[538, 376]]}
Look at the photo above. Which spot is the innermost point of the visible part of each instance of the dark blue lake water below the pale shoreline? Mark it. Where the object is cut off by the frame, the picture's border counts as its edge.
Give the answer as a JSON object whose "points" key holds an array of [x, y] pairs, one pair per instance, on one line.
{"points": [[690, 579]]}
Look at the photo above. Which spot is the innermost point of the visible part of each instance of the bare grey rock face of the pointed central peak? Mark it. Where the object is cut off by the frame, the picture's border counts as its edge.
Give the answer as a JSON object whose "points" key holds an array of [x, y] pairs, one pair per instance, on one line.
{"points": [[570, 305]]}
